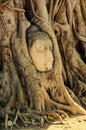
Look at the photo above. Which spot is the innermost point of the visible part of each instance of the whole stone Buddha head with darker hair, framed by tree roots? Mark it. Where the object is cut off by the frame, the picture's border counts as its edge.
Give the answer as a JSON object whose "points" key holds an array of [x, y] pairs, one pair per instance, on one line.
{"points": [[40, 49]]}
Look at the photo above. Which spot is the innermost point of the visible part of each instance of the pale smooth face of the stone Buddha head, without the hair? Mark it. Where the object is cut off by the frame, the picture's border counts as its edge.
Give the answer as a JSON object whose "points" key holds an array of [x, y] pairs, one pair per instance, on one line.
{"points": [[41, 54]]}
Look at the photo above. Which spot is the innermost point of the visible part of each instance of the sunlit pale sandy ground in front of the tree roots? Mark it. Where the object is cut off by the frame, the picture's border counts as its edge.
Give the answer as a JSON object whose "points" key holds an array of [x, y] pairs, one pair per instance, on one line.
{"points": [[73, 123]]}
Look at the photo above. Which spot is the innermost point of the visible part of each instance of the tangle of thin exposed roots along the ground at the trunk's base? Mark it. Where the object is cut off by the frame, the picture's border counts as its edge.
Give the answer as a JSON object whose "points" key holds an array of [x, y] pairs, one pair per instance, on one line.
{"points": [[31, 117]]}
